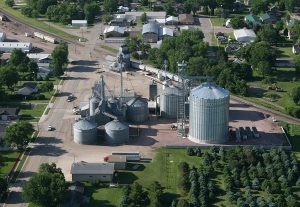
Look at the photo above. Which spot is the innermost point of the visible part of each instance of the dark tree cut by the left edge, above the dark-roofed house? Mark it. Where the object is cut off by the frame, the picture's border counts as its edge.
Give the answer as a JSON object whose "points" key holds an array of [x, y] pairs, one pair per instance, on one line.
{"points": [[8, 76]]}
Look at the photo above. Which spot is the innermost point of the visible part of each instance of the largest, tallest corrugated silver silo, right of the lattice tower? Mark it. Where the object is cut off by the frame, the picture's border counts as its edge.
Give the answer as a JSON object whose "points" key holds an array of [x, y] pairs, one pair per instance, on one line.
{"points": [[209, 114]]}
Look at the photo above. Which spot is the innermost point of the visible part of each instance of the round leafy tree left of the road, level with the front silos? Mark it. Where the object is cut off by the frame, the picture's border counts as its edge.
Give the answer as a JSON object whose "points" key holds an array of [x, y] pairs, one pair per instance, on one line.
{"points": [[18, 134]]}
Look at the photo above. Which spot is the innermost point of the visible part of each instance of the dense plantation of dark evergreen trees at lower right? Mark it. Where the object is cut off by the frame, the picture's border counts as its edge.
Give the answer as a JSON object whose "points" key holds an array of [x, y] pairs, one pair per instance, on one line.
{"points": [[274, 172]]}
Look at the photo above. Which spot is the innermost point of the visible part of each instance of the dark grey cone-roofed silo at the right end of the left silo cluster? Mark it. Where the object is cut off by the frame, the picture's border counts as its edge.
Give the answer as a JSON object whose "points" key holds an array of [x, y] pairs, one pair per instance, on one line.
{"points": [[137, 110]]}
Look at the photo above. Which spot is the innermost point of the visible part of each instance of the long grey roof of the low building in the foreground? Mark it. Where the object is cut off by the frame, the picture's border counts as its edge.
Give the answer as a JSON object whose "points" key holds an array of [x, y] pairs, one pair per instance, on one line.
{"points": [[92, 168]]}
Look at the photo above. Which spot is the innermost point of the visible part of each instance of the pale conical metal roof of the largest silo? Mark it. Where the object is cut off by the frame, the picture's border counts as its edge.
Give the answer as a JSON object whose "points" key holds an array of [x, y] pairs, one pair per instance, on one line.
{"points": [[209, 91]]}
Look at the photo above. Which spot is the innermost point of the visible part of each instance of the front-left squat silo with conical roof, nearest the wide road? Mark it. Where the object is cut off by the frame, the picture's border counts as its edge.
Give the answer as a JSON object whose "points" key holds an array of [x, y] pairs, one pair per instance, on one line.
{"points": [[85, 132]]}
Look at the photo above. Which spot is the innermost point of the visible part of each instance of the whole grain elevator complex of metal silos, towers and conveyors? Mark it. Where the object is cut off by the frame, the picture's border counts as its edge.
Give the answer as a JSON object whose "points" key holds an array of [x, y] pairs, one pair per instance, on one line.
{"points": [[201, 111]]}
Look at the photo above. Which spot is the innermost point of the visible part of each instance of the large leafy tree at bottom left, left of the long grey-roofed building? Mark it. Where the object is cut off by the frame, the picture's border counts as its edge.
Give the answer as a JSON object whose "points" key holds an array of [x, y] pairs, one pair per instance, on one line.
{"points": [[47, 188]]}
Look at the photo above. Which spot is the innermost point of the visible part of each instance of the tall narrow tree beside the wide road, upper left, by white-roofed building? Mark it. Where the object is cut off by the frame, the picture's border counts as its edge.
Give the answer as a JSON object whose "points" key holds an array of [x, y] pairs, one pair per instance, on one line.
{"points": [[60, 57]]}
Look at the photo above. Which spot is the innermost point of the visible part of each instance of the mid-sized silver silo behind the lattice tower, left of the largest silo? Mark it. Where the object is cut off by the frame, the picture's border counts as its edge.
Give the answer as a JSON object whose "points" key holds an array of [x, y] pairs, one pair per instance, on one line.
{"points": [[168, 102]]}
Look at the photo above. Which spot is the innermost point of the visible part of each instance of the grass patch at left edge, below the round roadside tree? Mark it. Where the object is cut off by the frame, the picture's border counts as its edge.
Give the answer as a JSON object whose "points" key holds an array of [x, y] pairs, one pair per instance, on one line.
{"points": [[7, 161]]}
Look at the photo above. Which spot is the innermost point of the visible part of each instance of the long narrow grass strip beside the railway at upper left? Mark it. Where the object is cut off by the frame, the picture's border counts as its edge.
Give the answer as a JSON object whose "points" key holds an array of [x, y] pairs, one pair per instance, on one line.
{"points": [[36, 22]]}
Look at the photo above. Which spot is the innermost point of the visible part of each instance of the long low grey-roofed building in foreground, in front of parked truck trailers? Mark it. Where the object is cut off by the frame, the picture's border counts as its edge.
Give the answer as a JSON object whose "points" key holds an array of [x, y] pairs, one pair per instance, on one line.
{"points": [[83, 172]]}
